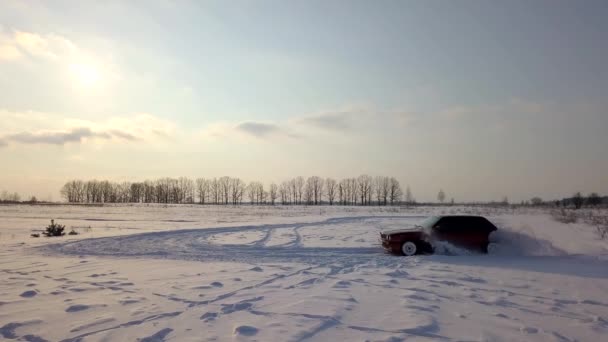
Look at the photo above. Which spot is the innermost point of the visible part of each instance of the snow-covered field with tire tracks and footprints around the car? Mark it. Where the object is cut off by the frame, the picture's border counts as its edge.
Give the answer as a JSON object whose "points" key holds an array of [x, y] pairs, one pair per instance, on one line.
{"points": [[191, 273]]}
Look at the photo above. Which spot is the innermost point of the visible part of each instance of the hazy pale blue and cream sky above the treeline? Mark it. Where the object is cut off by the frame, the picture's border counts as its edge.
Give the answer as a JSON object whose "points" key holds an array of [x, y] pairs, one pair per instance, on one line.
{"points": [[483, 99]]}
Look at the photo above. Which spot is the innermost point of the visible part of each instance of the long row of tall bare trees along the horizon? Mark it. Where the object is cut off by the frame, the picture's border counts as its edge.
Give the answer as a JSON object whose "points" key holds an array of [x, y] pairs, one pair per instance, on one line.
{"points": [[363, 190]]}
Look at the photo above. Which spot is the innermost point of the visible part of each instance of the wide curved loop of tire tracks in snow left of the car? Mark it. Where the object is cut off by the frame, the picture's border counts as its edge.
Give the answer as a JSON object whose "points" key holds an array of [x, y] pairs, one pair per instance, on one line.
{"points": [[193, 244]]}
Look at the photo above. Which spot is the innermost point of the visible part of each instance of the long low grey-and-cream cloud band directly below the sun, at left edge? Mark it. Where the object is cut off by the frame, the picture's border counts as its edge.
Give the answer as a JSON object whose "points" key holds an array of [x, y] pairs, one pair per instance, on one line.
{"points": [[23, 130]]}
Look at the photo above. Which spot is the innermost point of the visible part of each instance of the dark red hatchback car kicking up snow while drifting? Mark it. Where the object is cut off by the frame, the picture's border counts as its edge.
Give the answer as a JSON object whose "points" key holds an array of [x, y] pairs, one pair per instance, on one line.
{"points": [[471, 232]]}
